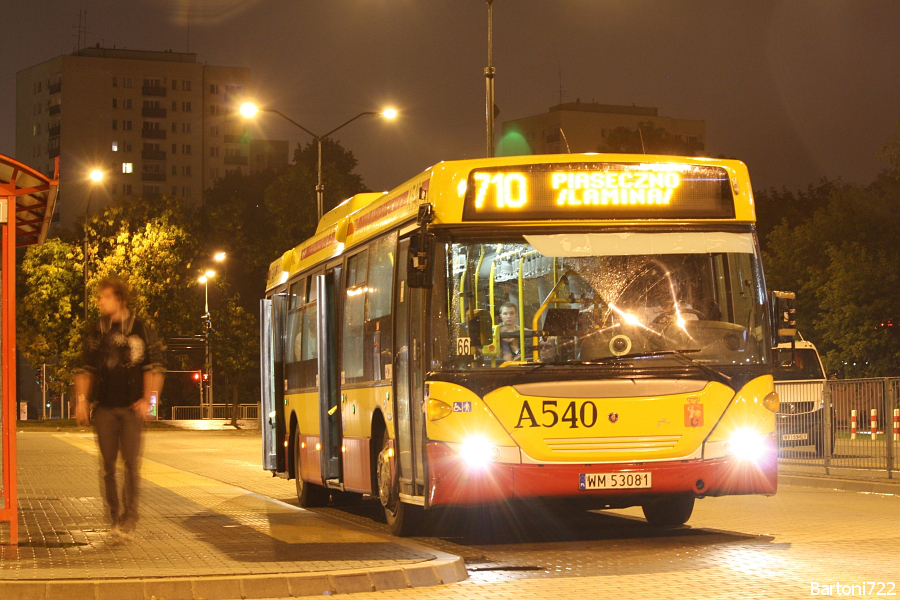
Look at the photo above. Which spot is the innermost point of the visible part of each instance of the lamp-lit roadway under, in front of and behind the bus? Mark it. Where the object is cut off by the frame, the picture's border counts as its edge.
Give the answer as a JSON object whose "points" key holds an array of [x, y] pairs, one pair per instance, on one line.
{"points": [[789, 545]]}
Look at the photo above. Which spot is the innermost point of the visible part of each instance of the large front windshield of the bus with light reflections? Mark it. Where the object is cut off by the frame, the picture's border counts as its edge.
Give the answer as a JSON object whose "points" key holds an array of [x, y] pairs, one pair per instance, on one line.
{"points": [[580, 298]]}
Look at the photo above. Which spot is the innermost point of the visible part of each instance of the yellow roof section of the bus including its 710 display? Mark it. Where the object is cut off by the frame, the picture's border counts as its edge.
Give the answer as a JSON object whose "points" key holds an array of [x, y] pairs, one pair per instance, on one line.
{"points": [[548, 190]]}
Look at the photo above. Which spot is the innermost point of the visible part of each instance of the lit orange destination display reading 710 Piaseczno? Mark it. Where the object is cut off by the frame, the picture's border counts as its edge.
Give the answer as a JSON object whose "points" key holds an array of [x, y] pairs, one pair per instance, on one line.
{"points": [[598, 191]]}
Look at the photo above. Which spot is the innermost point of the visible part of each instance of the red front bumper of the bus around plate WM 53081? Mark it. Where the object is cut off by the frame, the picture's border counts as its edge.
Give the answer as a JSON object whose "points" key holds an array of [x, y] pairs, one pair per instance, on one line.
{"points": [[454, 482]]}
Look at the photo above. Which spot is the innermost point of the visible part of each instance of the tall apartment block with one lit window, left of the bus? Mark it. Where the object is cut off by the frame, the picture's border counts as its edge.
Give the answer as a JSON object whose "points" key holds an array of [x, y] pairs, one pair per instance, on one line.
{"points": [[155, 123]]}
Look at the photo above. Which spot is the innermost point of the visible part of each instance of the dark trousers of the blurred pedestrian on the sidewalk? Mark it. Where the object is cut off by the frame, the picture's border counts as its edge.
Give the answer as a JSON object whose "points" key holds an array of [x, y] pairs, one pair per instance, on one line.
{"points": [[119, 430]]}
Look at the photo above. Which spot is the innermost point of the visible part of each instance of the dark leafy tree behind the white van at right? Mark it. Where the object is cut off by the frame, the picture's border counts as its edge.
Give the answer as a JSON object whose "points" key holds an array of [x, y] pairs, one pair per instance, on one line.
{"points": [[841, 262]]}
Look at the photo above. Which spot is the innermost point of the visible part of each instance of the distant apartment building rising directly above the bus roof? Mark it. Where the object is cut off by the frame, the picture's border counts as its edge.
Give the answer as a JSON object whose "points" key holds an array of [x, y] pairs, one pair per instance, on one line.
{"points": [[584, 127]]}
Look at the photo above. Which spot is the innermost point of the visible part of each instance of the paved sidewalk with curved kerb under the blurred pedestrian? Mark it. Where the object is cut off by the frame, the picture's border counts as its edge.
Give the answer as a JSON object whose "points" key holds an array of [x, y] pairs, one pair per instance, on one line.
{"points": [[197, 538]]}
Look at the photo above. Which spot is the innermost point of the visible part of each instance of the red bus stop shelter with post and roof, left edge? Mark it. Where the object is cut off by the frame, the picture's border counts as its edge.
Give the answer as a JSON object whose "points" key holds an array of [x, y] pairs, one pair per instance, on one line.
{"points": [[27, 200]]}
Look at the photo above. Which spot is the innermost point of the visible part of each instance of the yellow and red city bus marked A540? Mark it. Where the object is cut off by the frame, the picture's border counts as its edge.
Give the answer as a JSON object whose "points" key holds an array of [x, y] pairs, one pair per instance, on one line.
{"points": [[589, 326]]}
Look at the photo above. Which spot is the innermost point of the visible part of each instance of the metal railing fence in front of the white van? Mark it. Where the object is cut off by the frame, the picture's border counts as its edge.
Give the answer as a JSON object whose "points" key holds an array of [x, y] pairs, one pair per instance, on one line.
{"points": [[851, 424]]}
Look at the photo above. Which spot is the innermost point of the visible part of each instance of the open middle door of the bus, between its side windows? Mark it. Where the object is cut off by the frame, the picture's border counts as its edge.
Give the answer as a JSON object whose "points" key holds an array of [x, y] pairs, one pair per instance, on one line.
{"points": [[329, 372]]}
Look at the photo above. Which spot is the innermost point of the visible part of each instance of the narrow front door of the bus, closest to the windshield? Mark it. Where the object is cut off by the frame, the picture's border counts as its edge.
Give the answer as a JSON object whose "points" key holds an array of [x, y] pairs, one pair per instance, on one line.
{"points": [[409, 372]]}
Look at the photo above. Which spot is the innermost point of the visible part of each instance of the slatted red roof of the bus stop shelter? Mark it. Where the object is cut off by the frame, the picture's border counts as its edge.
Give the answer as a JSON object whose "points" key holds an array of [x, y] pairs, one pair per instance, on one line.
{"points": [[35, 199]]}
